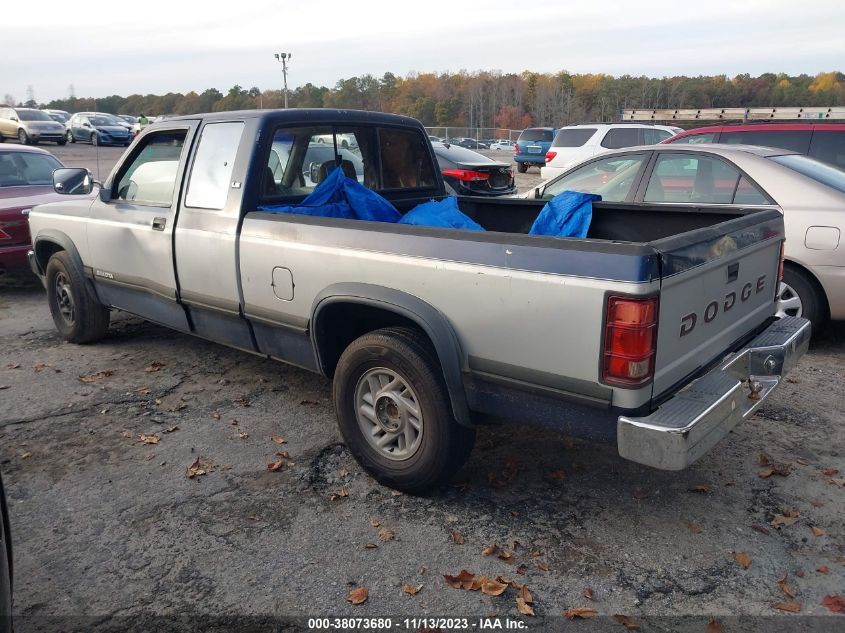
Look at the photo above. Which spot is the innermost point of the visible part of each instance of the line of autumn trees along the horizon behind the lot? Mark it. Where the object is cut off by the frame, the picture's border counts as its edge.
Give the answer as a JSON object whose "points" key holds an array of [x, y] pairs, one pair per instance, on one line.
{"points": [[493, 98]]}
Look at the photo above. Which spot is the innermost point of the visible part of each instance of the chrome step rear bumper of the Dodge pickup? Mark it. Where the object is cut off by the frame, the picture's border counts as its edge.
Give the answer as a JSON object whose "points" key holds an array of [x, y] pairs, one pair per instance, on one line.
{"points": [[696, 418]]}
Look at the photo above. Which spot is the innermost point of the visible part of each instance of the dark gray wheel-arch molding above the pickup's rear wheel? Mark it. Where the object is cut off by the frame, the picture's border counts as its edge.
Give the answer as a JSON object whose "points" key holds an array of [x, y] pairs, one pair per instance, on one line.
{"points": [[430, 319]]}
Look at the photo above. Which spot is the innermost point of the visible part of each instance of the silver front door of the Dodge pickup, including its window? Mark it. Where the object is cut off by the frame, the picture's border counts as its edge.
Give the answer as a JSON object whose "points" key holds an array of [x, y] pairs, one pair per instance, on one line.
{"points": [[130, 230]]}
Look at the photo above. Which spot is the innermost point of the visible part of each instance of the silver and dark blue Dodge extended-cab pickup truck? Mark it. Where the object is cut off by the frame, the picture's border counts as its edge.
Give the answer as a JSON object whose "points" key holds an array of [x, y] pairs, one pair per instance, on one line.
{"points": [[655, 331]]}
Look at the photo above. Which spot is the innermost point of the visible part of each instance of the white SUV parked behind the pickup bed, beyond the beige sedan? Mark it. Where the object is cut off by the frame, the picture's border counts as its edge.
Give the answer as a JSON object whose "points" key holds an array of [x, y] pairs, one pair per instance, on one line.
{"points": [[575, 143]]}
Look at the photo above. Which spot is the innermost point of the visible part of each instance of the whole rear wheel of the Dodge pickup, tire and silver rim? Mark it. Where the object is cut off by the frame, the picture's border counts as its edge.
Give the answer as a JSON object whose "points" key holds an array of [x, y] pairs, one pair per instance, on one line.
{"points": [[394, 412]]}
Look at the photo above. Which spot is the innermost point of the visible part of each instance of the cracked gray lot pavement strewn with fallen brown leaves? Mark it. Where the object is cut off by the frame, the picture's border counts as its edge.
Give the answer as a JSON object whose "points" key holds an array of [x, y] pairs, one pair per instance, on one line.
{"points": [[109, 527]]}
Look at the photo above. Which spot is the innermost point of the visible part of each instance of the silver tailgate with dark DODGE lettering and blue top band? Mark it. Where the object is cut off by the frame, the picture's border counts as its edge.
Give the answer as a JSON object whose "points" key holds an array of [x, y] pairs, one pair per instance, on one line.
{"points": [[717, 287]]}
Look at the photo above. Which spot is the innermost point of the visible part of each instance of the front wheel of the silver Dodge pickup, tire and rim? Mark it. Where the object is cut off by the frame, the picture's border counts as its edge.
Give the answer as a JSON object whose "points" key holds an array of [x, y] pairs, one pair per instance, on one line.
{"points": [[78, 316]]}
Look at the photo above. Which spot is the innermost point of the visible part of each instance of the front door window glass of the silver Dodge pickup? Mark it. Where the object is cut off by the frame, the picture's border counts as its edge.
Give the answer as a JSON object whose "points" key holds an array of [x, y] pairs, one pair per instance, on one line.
{"points": [[150, 178]]}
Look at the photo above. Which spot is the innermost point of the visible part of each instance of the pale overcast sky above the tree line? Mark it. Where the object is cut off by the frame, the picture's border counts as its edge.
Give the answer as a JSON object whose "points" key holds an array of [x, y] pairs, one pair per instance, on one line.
{"points": [[157, 46]]}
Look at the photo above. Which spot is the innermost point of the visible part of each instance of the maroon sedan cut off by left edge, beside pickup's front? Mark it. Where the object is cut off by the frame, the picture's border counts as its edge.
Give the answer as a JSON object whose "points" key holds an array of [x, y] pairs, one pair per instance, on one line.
{"points": [[26, 179]]}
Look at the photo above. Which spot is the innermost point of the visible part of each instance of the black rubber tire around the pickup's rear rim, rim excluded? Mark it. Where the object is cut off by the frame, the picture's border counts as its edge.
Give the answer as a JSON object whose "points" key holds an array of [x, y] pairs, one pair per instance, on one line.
{"points": [[443, 445]]}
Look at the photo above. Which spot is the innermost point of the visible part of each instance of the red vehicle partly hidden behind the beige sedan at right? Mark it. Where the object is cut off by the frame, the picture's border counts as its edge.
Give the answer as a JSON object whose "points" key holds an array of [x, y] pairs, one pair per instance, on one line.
{"points": [[822, 141]]}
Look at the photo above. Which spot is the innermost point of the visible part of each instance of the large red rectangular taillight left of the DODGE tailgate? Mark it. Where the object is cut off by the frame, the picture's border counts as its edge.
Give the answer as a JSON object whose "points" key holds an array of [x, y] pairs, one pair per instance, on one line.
{"points": [[630, 341]]}
